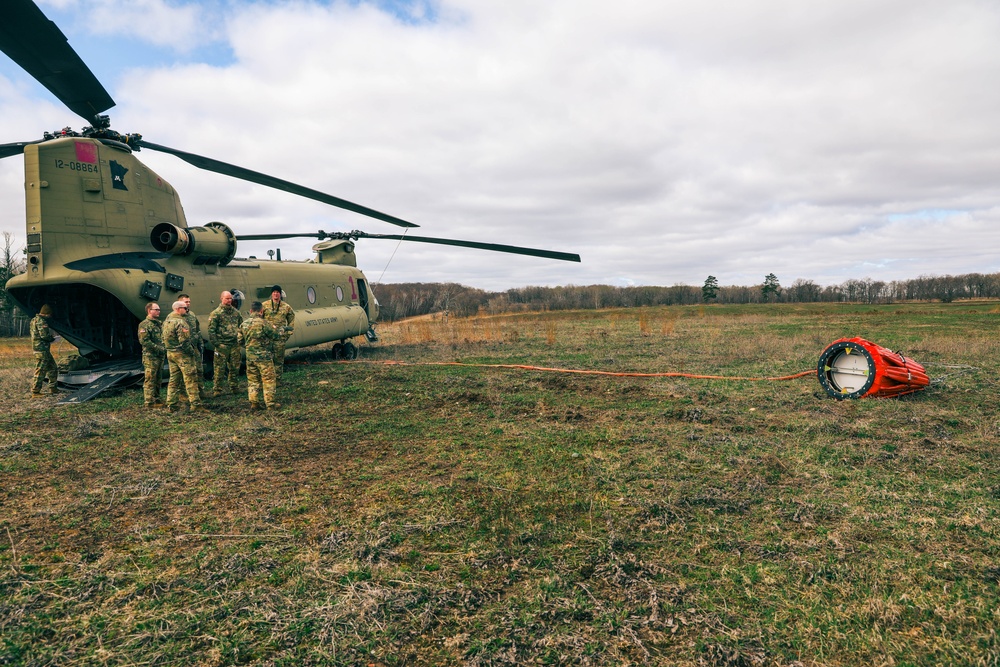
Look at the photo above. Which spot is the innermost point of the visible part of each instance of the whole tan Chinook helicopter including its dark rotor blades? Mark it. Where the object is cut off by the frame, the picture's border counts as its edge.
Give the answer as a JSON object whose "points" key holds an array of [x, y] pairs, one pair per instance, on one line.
{"points": [[106, 235]]}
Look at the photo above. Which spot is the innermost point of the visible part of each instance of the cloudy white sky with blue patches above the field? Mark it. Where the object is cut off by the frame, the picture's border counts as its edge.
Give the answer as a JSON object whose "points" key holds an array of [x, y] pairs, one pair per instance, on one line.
{"points": [[662, 141]]}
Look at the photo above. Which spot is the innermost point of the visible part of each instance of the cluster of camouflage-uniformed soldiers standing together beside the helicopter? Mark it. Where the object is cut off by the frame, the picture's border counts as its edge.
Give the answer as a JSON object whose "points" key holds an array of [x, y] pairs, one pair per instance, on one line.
{"points": [[179, 341]]}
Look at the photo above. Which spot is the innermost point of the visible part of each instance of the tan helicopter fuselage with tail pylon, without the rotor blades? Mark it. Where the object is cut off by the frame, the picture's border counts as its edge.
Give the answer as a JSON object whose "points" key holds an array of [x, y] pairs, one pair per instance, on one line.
{"points": [[106, 235]]}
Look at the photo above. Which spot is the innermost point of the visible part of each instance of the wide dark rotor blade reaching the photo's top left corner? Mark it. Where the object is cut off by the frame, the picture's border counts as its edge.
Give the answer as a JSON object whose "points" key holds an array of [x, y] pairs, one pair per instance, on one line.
{"points": [[36, 44]]}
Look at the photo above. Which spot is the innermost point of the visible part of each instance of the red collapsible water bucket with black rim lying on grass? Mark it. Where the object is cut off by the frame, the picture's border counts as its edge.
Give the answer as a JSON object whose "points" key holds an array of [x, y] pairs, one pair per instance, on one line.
{"points": [[857, 368]]}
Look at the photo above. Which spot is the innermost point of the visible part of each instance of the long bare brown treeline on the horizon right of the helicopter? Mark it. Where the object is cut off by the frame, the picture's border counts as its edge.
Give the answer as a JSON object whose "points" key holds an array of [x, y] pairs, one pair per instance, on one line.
{"points": [[401, 300]]}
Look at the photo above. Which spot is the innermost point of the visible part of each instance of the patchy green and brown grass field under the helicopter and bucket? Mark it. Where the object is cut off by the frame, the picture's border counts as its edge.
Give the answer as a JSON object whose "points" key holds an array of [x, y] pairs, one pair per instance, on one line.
{"points": [[426, 514]]}
